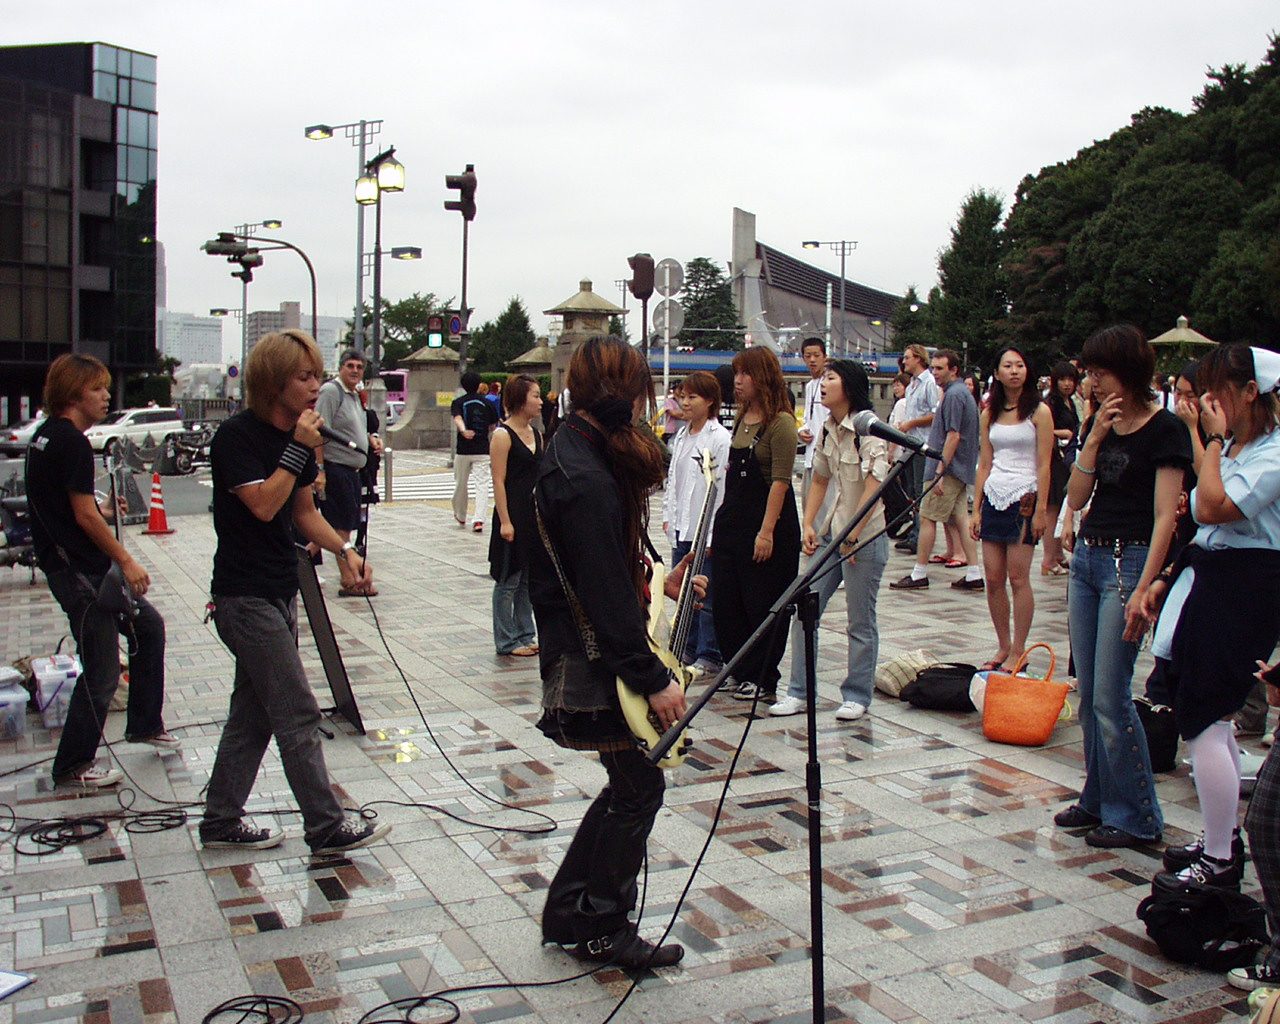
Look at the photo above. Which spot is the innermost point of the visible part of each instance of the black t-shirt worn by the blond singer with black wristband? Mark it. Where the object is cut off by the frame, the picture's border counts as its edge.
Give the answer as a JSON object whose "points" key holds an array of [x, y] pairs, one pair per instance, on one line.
{"points": [[254, 559]]}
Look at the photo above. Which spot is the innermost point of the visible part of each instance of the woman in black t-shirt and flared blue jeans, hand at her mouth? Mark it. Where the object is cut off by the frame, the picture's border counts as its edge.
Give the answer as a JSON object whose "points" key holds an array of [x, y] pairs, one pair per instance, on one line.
{"points": [[1132, 467]]}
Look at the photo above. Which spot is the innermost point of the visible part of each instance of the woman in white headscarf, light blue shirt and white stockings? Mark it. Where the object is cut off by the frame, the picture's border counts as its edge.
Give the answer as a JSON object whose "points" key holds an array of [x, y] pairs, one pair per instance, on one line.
{"points": [[1220, 611]]}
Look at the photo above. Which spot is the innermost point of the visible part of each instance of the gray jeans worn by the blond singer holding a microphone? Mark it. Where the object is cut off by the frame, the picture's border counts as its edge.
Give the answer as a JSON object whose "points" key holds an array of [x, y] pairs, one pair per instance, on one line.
{"points": [[271, 698]]}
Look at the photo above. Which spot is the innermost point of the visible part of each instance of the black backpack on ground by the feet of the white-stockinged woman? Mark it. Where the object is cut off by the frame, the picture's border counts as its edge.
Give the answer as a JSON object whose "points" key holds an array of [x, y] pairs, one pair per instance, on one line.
{"points": [[1205, 926]]}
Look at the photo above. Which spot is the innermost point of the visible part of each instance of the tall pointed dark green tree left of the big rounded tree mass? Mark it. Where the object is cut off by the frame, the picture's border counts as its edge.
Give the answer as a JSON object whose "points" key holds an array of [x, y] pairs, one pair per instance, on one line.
{"points": [[972, 303]]}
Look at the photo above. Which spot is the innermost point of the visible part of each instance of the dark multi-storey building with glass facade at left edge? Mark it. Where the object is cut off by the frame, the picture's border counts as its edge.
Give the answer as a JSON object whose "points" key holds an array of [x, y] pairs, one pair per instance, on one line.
{"points": [[79, 141]]}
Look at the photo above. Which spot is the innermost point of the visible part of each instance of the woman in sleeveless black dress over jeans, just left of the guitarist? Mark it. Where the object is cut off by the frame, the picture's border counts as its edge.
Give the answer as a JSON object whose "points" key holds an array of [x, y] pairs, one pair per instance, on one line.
{"points": [[514, 455]]}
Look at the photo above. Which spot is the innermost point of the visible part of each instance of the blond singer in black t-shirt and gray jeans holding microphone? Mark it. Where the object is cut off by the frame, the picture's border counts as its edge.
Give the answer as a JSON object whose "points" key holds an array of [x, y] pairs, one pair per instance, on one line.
{"points": [[263, 468]]}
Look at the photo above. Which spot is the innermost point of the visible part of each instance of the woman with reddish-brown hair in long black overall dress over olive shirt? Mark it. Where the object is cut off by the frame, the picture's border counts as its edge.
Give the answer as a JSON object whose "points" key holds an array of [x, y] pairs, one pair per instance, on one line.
{"points": [[757, 547]]}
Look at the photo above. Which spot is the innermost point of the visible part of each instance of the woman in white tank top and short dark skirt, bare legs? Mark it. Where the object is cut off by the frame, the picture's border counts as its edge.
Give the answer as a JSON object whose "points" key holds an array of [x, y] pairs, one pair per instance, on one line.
{"points": [[1017, 441]]}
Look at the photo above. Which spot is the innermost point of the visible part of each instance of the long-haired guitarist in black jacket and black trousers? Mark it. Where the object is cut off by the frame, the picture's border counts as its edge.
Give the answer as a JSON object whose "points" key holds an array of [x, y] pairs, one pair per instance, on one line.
{"points": [[588, 586]]}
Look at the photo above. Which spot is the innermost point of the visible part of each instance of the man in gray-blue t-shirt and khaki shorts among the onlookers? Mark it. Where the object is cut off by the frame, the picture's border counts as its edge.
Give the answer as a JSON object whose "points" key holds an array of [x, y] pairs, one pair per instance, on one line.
{"points": [[954, 432]]}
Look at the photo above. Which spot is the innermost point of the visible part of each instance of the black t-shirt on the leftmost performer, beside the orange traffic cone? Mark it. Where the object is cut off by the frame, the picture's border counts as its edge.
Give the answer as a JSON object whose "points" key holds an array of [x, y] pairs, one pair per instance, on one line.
{"points": [[61, 464]]}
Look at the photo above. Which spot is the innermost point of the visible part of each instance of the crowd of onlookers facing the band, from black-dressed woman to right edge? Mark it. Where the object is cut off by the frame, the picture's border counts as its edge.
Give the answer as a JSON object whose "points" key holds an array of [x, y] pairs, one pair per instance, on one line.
{"points": [[1156, 501]]}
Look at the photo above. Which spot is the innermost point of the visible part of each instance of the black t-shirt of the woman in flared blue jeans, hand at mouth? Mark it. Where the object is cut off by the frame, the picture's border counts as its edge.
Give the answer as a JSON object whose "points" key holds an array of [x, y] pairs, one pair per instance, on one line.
{"points": [[1124, 497]]}
